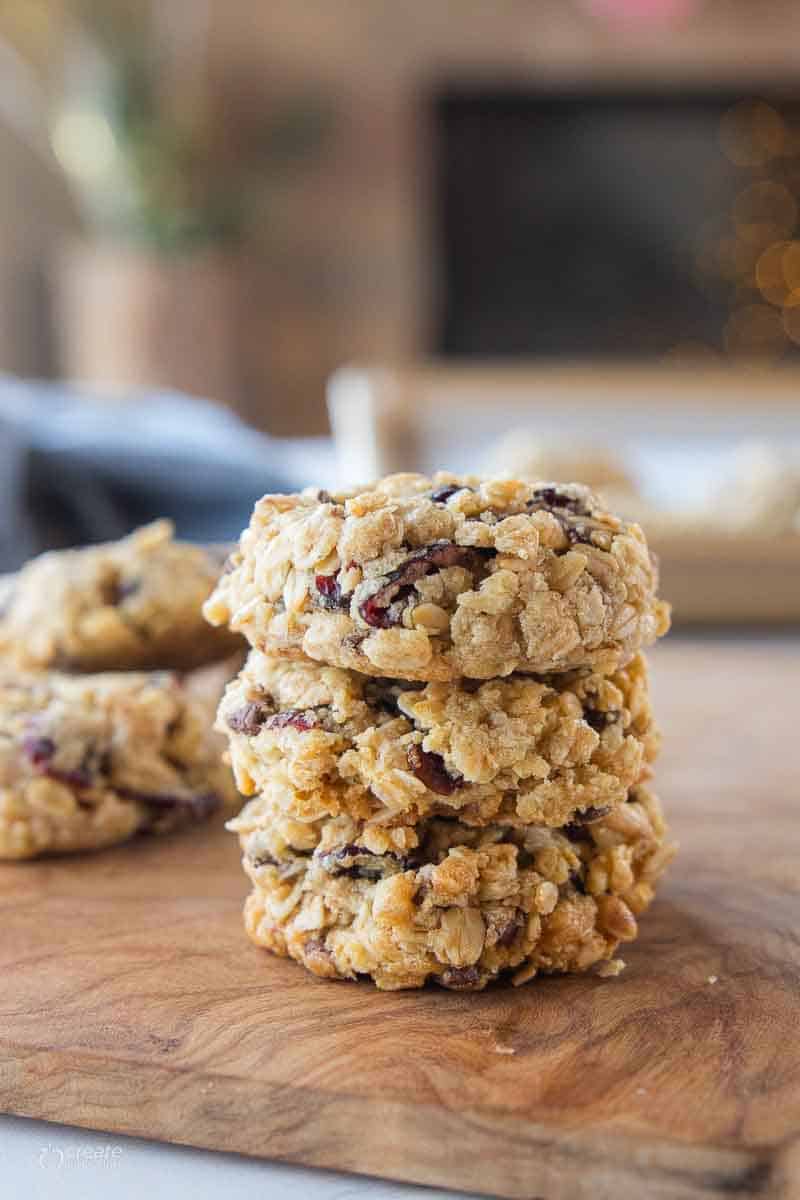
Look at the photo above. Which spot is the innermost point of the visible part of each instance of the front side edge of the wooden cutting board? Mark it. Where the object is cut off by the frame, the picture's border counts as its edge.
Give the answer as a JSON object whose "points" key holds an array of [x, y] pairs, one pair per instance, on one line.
{"points": [[489, 1153]]}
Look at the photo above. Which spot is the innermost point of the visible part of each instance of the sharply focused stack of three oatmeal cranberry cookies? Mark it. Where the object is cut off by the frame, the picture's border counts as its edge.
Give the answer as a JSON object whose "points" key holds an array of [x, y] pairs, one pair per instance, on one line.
{"points": [[446, 729]]}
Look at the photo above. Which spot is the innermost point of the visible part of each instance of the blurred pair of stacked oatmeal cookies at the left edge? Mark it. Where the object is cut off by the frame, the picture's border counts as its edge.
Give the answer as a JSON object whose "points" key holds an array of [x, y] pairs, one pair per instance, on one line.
{"points": [[109, 683]]}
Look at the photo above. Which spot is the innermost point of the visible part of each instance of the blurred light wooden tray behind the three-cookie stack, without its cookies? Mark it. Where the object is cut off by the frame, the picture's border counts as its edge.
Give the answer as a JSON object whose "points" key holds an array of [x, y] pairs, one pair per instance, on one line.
{"points": [[419, 417]]}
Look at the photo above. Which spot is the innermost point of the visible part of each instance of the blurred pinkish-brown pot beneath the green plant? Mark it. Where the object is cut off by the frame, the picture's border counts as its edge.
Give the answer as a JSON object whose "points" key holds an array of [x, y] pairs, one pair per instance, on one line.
{"points": [[128, 319]]}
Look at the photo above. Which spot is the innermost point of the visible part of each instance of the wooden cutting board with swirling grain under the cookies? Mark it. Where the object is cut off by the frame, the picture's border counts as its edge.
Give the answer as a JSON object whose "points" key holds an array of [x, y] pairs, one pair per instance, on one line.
{"points": [[131, 1001]]}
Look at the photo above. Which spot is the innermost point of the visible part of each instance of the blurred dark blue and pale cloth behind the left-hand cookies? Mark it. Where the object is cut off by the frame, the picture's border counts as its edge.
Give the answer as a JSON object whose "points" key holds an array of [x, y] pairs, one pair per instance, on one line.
{"points": [[79, 470]]}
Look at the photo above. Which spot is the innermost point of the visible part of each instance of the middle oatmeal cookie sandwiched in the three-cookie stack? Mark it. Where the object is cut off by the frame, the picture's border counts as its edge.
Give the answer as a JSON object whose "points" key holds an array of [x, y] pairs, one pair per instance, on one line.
{"points": [[533, 751]]}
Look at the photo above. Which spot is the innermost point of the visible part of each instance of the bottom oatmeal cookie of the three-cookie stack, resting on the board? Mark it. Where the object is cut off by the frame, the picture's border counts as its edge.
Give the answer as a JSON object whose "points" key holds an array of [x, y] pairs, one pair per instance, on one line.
{"points": [[464, 907]]}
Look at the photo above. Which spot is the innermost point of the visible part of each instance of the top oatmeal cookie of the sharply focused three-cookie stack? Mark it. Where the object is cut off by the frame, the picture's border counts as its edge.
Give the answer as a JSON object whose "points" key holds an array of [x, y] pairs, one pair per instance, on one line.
{"points": [[438, 579]]}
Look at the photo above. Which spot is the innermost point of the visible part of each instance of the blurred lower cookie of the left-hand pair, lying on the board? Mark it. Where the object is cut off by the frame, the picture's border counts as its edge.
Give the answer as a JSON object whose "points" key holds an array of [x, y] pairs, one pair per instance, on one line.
{"points": [[87, 761]]}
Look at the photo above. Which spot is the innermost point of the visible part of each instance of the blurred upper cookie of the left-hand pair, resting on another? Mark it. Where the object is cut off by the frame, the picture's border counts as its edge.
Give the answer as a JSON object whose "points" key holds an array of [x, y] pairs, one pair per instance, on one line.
{"points": [[127, 605]]}
